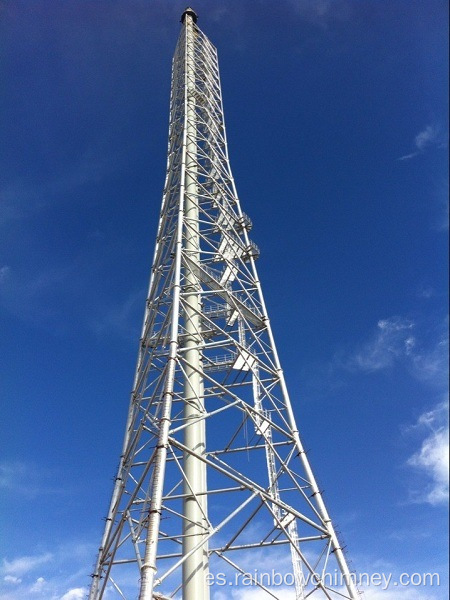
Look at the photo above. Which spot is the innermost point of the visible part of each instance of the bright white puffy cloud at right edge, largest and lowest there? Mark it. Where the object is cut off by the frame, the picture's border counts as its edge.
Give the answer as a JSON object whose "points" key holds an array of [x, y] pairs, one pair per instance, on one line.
{"points": [[432, 459]]}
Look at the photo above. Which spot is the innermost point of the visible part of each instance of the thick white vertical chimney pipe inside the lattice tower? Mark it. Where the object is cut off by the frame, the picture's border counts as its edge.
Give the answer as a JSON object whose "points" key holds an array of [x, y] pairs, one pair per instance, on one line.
{"points": [[195, 522]]}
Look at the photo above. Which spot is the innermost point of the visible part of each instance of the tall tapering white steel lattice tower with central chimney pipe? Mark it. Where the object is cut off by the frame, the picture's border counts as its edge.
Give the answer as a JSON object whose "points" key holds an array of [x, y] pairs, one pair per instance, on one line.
{"points": [[213, 478]]}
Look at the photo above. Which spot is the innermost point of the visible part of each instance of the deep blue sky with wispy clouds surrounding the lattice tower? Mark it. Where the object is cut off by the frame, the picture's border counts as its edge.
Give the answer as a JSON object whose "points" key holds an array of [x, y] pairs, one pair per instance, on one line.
{"points": [[336, 114]]}
